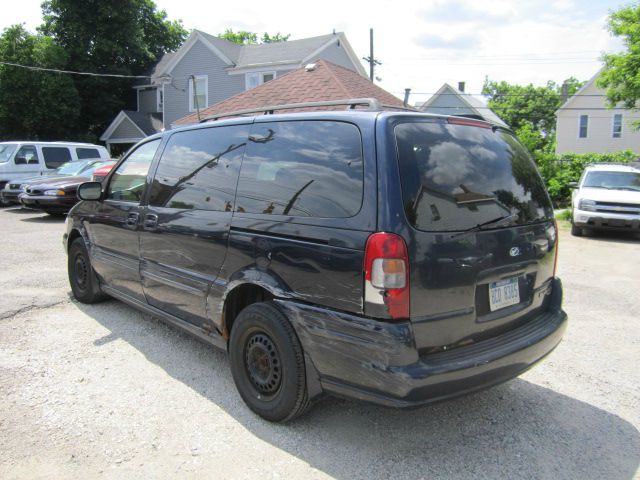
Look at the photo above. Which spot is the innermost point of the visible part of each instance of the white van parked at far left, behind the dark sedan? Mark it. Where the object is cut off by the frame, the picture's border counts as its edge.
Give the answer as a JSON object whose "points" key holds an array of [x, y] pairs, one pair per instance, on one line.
{"points": [[27, 159]]}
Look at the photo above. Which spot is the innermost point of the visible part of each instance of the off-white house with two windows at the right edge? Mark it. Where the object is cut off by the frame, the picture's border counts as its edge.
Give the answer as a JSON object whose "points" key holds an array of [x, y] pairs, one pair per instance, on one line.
{"points": [[585, 124]]}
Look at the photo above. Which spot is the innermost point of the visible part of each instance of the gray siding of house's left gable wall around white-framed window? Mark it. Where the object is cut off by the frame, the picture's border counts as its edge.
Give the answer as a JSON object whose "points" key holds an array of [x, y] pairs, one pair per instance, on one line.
{"points": [[200, 60]]}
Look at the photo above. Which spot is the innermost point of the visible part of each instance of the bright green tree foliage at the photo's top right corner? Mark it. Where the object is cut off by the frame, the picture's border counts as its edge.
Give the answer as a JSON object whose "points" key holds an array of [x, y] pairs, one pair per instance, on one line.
{"points": [[621, 72]]}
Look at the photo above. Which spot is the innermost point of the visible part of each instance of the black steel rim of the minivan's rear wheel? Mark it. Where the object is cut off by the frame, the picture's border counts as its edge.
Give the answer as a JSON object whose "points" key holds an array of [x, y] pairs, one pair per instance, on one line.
{"points": [[263, 365]]}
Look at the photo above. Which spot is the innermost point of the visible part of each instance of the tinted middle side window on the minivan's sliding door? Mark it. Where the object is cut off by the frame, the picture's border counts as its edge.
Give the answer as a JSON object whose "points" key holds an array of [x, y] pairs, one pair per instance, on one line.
{"points": [[199, 169]]}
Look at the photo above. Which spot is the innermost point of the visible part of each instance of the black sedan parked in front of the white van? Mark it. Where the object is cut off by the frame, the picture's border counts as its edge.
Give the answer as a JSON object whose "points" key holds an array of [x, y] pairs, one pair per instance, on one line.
{"points": [[57, 195]]}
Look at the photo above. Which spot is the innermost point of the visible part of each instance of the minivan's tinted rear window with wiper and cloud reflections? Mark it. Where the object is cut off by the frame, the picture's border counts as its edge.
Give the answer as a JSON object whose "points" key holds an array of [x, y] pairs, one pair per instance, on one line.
{"points": [[458, 177]]}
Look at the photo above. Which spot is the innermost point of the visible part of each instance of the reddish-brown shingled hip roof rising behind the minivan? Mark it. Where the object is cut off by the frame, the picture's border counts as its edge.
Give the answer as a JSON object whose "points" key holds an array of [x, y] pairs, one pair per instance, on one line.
{"points": [[326, 82]]}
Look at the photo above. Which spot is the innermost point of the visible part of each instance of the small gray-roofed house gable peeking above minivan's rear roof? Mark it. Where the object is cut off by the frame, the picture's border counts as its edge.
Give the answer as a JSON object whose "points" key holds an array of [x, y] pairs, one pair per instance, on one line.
{"points": [[453, 101]]}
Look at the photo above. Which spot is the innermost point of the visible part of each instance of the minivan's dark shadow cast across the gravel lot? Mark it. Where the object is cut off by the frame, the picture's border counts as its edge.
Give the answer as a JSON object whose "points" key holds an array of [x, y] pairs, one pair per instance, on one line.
{"points": [[508, 431]]}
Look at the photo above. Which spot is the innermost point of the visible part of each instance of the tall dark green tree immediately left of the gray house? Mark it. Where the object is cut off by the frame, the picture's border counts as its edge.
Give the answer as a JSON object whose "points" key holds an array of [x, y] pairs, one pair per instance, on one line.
{"points": [[124, 37]]}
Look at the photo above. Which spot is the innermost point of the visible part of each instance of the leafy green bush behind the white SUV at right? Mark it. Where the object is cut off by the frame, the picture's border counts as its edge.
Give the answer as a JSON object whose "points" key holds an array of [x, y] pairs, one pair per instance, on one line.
{"points": [[560, 169]]}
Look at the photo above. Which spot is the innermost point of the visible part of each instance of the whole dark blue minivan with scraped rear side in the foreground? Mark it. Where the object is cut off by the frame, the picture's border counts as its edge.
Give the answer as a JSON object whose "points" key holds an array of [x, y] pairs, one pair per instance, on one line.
{"points": [[398, 258]]}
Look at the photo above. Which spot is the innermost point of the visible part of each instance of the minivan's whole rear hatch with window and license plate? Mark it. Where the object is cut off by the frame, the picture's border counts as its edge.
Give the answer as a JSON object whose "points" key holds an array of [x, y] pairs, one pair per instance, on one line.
{"points": [[482, 240]]}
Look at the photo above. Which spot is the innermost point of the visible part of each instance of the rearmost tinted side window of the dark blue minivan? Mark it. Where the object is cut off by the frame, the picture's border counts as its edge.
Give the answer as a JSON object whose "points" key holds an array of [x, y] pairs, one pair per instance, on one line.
{"points": [[302, 168]]}
